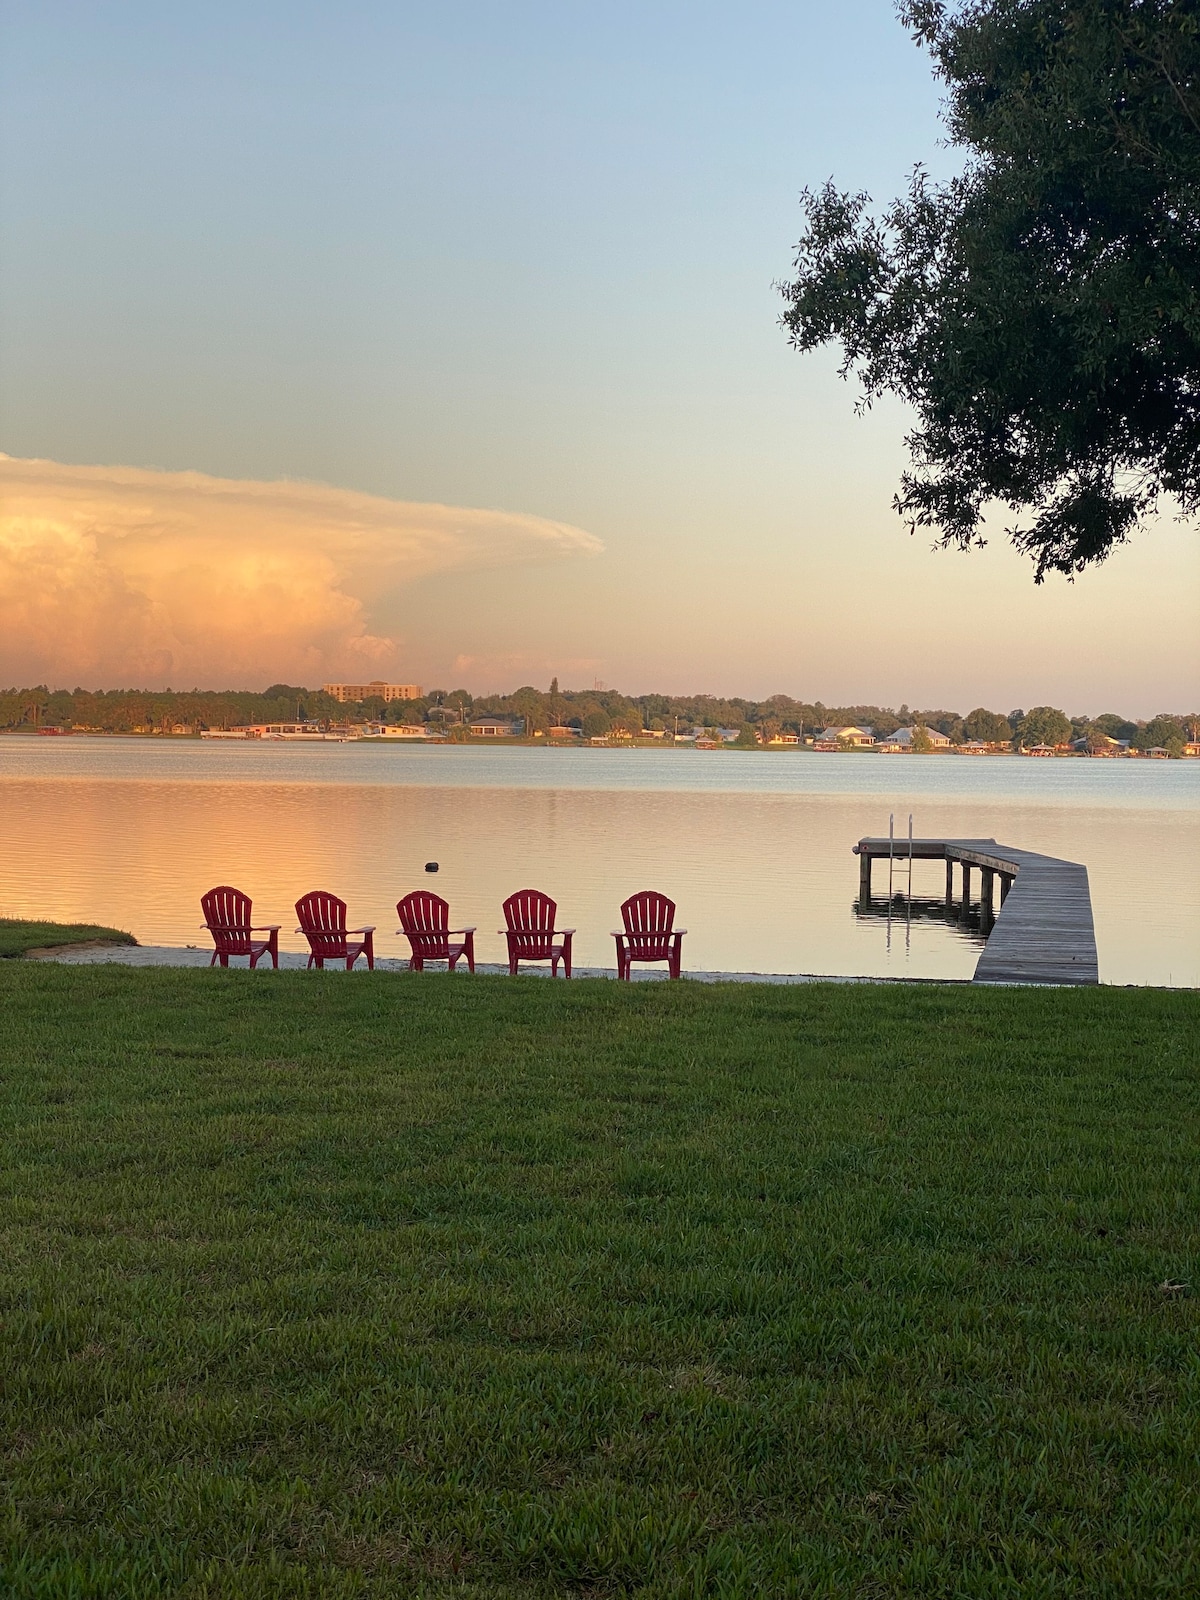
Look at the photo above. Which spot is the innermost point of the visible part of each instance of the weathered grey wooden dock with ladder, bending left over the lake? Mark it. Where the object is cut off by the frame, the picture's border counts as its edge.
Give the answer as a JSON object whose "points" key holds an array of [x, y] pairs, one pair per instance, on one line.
{"points": [[1042, 934]]}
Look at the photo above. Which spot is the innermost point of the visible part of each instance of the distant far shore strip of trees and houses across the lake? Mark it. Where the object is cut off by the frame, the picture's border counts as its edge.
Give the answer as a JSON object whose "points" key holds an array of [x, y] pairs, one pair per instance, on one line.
{"points": [[594, 713]]}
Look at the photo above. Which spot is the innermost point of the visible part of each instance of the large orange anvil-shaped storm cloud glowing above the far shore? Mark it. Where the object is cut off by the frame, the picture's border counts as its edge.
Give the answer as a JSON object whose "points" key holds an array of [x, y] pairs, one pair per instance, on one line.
{"points": [[124, 577]]}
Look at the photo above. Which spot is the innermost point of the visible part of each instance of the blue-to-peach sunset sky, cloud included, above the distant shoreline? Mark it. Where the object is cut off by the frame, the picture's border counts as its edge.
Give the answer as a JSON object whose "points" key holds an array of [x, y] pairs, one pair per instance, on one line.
{"points": [[444, 340]]}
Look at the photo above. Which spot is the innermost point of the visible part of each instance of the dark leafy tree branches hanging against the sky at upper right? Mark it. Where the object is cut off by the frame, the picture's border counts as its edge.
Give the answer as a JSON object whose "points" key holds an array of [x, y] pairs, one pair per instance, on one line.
{"points": [[1041, 311]]}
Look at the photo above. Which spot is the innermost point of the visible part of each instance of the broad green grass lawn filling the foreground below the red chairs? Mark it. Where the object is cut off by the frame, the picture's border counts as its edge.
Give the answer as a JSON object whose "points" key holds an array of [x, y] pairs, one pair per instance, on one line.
{"points": [[326, 1286]]}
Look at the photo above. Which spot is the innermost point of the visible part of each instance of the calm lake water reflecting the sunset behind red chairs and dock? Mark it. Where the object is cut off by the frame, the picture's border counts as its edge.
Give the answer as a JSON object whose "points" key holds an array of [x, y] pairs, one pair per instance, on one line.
{"points": [[756, 849]]}
